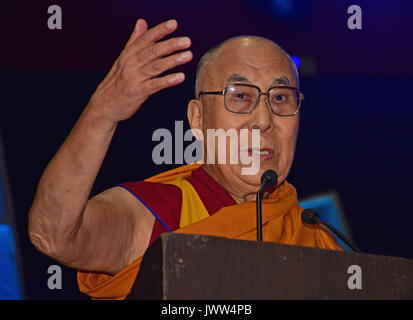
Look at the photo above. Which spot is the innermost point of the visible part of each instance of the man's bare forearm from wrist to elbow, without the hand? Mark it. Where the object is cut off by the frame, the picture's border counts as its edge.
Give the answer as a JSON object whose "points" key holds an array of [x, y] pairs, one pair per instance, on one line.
{"points": [[65, 186]]}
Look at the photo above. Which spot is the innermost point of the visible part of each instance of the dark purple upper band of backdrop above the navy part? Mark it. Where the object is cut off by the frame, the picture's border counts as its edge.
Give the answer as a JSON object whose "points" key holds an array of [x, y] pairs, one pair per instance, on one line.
{"points": [[94, 32]]}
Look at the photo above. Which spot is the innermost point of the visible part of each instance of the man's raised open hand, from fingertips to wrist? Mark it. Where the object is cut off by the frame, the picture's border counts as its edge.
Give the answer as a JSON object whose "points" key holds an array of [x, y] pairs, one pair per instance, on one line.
{"points": [[135, 75]]}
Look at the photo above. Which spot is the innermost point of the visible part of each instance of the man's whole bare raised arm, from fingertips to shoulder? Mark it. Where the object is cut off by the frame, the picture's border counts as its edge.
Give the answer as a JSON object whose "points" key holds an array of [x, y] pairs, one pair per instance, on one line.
{"points": [[105, 234]]}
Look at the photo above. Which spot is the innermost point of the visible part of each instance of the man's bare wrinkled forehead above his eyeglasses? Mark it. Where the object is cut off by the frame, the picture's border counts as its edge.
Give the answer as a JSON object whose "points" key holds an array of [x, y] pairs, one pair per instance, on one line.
{"points": [[258, 60]]}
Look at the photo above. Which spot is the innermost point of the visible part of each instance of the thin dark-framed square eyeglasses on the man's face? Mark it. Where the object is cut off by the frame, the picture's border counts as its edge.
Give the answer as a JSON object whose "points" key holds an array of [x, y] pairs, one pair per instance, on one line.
{"points": [[260, 93]]}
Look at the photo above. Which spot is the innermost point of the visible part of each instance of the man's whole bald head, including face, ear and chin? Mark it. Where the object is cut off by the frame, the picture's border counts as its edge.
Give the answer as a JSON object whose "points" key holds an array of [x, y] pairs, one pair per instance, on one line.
{"points": [[256, 62]]}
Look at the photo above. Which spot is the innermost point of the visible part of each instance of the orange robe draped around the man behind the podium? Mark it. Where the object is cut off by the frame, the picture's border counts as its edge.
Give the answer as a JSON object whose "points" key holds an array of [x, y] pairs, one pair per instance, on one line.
{"points": [[281, 218]]}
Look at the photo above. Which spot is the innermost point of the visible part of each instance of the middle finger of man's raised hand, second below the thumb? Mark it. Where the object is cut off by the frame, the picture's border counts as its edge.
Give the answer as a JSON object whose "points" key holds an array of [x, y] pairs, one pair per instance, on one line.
{"points": [[164, 48]]}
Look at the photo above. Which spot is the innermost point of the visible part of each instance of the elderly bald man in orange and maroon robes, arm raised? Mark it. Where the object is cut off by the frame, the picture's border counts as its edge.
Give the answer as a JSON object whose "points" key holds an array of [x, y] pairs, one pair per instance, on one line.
{"points": [[107, 235]]}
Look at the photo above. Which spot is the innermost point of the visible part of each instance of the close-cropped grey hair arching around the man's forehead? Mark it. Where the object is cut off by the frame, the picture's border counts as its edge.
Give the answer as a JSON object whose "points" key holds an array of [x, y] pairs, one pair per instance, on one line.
{"points": [[208, 60]]}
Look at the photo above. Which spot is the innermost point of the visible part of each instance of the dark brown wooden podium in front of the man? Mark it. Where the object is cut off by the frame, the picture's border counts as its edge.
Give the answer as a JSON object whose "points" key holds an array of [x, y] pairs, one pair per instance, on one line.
{"points": [[197, 267]]}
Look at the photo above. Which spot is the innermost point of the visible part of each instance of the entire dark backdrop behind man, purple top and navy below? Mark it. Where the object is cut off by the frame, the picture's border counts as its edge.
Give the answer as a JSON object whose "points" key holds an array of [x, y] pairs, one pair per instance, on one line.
{"points": [[356, 126]]}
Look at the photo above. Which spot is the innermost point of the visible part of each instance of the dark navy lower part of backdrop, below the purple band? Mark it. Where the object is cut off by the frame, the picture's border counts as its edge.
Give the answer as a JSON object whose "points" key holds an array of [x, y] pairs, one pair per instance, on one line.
{"points": [[354, 139]]}
